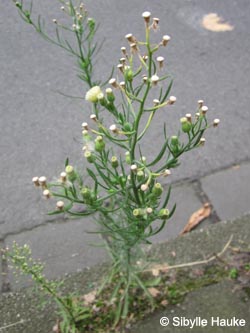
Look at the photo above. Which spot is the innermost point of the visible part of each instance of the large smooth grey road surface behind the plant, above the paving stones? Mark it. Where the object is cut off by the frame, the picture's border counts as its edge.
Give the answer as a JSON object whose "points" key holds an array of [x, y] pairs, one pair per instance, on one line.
{"points": [[39, 128]]}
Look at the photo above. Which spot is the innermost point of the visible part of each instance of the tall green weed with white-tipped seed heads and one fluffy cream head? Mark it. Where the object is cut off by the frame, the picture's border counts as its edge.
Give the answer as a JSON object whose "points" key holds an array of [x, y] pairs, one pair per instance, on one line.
{"points": [[121, 187]]}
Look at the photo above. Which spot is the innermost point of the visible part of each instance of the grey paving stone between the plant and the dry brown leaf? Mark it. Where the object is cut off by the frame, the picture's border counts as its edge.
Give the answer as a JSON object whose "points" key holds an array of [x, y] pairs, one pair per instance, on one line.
{"points": [[184, 195]]}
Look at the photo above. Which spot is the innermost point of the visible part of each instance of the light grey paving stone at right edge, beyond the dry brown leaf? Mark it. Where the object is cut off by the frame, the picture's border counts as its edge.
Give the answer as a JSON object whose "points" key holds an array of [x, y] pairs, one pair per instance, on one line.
{"points": [[229, 191]]}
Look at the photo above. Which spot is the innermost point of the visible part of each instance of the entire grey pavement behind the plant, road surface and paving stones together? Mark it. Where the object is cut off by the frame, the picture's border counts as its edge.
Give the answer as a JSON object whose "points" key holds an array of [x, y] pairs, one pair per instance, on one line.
{"points": [[40, 128]]}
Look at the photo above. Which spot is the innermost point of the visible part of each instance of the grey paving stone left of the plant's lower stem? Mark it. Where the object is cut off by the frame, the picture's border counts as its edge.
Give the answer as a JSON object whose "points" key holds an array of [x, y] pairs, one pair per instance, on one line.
{"points": [[63, 247]]}
